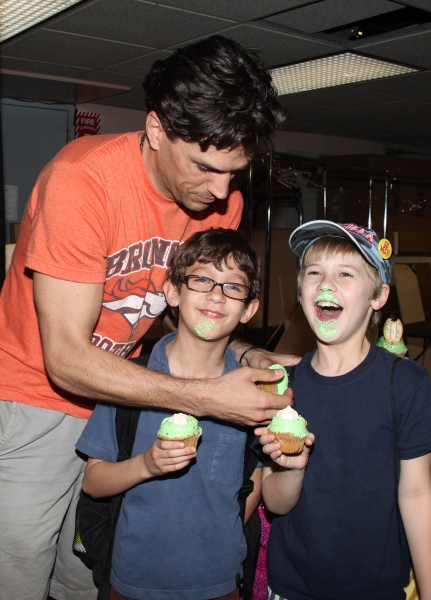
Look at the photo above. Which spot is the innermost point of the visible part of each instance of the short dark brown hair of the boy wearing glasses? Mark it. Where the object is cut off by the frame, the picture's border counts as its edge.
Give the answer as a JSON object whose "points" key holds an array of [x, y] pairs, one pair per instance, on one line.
{"points": [[216, 246]]}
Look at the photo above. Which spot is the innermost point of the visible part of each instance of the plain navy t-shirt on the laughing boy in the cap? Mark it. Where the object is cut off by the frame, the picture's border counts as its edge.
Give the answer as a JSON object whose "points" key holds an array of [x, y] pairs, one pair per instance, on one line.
{"points": [[340, 542]]}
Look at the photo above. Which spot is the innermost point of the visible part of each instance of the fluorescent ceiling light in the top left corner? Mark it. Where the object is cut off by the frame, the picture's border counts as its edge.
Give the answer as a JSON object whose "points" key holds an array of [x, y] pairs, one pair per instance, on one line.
{"points": [[19, 15]]}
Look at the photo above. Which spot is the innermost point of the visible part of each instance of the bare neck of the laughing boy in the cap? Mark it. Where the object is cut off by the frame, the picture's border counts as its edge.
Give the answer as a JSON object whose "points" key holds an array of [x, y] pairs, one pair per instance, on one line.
{"points": [[339, 359]]}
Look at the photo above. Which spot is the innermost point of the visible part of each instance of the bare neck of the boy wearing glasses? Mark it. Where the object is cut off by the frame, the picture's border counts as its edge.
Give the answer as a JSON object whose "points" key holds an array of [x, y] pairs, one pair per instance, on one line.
{"points": [[192, 358]]}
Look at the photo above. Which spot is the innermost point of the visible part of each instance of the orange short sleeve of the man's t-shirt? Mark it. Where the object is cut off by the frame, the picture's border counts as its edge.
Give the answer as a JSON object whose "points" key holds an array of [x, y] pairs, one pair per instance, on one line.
{"points": [[70, 229]]}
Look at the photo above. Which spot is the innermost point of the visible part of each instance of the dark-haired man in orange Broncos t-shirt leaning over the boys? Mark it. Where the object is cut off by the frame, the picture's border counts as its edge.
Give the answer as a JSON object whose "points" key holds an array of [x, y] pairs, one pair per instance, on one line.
{"points": [[99, 230]]}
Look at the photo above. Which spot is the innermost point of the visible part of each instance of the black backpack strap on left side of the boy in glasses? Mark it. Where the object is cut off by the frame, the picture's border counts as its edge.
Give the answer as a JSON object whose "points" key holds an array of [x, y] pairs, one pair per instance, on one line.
{"points": [[126, 424]]}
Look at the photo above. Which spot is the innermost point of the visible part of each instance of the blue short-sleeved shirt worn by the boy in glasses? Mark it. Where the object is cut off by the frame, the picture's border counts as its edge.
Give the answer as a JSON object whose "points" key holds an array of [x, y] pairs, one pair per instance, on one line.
{"points": [[179, 535]]}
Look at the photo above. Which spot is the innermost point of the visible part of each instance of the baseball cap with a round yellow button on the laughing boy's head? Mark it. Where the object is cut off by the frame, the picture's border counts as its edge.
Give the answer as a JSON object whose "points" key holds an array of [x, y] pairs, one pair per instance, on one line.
{"points": [[376, 252]]}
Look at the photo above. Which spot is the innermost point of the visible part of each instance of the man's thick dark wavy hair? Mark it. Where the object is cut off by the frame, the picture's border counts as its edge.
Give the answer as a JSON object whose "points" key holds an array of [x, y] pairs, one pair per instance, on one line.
{"points": [[214, 93]]}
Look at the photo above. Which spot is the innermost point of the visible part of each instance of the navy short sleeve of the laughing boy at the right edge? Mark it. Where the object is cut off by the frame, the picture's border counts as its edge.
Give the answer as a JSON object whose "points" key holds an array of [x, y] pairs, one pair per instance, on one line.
{"points": [[412, 392]]}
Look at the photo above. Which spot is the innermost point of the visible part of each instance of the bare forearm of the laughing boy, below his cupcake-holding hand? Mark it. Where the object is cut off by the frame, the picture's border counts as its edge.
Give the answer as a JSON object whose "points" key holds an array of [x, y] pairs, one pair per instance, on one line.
{"points": [[281, 488]]}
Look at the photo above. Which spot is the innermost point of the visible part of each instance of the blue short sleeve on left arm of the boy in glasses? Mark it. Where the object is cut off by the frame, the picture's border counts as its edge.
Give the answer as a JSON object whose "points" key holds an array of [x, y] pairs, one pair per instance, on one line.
{"points": [[99, 440]]}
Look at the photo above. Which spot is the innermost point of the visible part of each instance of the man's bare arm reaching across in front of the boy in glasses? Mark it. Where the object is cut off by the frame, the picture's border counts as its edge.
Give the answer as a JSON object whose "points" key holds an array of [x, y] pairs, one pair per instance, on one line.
{"points": [[67, 314]]}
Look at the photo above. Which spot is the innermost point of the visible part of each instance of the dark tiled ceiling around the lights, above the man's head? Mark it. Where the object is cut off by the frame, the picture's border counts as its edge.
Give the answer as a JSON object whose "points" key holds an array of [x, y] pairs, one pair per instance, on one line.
{"points": [[116, 42]]}
